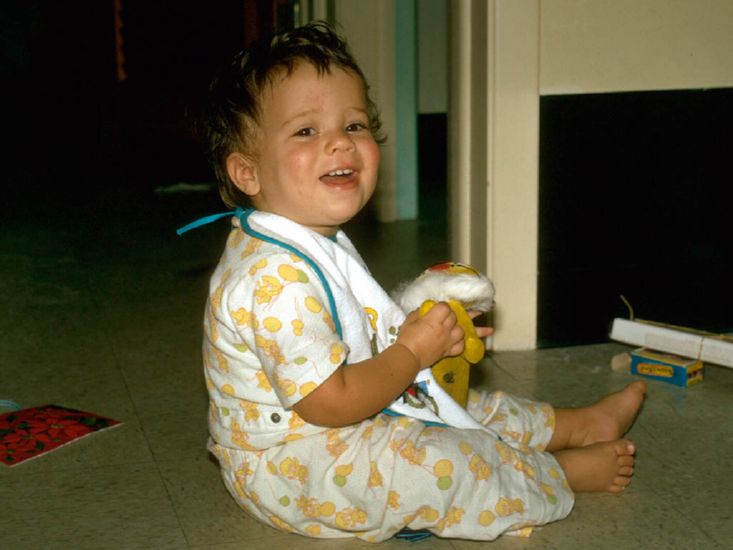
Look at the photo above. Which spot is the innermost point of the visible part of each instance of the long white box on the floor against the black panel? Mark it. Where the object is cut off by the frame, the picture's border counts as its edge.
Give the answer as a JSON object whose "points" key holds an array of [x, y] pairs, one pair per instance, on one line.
{"points": [[695, 344]]}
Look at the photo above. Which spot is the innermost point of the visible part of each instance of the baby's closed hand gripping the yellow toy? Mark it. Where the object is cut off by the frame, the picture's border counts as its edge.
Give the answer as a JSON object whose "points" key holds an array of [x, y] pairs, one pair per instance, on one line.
{"points": [[432, 336]]}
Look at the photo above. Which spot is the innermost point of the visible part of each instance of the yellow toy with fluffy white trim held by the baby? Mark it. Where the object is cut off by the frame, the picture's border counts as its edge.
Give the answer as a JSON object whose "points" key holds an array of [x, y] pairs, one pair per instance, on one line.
{"points": [[463, 289]]}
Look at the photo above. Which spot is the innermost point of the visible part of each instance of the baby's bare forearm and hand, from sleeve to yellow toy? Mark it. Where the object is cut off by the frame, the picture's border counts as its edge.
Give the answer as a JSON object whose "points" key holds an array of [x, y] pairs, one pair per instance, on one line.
{"points": [[357, 391]]}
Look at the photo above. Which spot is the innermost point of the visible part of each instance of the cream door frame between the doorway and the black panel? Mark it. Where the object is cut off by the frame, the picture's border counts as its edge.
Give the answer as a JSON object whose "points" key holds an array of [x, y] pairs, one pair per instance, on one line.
{"points": [[494, 155]]}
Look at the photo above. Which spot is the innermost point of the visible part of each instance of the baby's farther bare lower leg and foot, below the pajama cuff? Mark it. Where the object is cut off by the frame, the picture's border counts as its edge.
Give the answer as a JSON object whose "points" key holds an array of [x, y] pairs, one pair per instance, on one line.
{"points": [[604, 421]]}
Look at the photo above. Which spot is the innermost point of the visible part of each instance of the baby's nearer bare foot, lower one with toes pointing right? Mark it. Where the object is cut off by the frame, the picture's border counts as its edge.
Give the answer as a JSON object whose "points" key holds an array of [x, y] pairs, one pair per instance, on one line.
{"points": [[601, 467]]}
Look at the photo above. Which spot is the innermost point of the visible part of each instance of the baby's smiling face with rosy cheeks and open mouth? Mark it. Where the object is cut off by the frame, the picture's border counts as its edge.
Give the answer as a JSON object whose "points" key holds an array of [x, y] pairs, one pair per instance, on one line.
{"points": [[317, 160]]}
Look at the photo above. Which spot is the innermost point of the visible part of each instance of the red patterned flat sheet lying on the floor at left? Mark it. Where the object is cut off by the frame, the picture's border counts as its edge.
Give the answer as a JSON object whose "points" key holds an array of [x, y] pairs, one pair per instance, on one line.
{"points": [[30, 433]]}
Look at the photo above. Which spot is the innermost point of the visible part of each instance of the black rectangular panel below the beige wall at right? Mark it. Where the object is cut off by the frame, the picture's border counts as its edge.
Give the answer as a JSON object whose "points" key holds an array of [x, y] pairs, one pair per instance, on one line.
{"points": [[634, 201]]}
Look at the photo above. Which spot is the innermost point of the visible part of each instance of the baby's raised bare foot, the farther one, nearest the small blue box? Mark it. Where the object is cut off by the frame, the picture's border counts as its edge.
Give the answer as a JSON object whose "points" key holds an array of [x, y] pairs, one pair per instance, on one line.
{"points": [[611, 417]]}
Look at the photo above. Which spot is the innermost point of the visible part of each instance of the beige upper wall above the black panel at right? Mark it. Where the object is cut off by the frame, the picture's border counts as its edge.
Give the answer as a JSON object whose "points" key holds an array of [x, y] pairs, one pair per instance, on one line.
{"points": [[630, 45]]}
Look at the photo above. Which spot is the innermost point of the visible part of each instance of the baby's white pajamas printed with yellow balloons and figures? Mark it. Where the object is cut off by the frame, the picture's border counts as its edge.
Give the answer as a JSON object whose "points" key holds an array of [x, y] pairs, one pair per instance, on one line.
{"points": [[269, 341]]}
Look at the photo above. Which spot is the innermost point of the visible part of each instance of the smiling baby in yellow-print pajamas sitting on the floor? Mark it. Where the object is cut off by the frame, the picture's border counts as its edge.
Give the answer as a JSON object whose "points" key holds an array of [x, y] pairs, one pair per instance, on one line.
{"points": [[304, 351]]}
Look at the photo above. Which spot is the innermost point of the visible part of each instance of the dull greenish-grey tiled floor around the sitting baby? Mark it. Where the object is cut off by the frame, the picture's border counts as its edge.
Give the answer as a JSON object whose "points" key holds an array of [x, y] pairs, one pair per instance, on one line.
{"points": [[102, 308]]}
